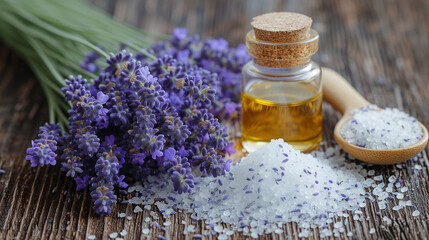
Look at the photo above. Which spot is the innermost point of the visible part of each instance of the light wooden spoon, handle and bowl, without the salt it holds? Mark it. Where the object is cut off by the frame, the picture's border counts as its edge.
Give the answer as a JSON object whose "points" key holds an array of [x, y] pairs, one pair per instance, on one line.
{"points": [[343, 97]]}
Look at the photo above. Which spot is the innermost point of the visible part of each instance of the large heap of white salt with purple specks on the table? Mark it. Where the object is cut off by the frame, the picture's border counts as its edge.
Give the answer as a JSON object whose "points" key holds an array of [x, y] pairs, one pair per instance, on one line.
{"points": [[277, 185]]}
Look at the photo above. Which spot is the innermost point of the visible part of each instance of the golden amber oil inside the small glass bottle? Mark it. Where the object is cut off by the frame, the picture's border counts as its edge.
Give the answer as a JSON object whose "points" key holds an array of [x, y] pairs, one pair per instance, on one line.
{"points": [[272, 110]]}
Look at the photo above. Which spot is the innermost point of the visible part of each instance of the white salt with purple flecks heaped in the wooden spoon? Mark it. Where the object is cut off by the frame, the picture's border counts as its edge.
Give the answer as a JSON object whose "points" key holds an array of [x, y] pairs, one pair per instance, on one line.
{"points": [[385, 129]]}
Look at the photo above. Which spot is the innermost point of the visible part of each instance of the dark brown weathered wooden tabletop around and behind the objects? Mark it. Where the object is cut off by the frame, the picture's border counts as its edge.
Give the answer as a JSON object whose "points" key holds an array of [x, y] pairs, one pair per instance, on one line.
{"points": [[382, 47]]}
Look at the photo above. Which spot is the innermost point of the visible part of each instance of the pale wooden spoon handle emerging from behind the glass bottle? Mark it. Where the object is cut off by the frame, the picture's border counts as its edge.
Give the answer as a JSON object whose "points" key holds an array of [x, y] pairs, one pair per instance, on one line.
{"points": [[339, 93]]}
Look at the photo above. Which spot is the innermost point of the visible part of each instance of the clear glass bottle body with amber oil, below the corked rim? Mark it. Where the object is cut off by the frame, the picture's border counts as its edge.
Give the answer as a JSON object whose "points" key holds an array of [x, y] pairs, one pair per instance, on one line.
{"points": [[281, 103]]}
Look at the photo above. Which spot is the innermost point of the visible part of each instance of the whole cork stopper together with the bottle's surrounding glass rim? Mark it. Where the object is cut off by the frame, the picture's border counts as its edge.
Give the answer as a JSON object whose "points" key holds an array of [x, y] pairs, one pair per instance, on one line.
{"points": [[282, 39]]}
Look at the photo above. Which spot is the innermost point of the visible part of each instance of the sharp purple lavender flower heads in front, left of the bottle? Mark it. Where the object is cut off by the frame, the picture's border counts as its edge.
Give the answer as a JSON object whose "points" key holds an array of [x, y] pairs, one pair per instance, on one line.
{"points": [[141, 117]]}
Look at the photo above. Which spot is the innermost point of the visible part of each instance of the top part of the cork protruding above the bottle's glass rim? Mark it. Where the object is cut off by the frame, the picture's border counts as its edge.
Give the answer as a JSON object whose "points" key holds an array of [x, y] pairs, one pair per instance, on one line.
{"points": [[281, 27]]}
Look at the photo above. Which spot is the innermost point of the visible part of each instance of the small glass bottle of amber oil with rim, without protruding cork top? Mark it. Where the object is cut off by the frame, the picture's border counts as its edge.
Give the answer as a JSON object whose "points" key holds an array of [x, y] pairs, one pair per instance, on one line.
{"points": [[281, 93]]}
